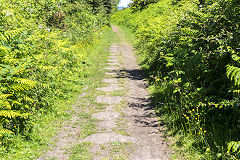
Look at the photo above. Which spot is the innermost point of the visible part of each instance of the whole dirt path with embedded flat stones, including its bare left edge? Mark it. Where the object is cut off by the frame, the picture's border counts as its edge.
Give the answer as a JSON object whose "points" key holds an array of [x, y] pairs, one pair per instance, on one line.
{"points": [[127, 126]]}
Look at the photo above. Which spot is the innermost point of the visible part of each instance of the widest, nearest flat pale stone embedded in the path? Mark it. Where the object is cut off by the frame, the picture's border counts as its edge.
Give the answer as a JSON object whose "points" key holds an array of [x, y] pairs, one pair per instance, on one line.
{"points": [[104, 138]]}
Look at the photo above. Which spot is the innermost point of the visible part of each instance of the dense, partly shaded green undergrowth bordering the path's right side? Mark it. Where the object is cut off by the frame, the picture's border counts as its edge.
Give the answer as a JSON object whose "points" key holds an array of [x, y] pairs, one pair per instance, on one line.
{"points": [[190, 51]]}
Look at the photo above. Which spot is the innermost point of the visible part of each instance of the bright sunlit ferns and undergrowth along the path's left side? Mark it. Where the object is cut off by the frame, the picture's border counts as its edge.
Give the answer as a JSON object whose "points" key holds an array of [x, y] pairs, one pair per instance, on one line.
{"points": [[44, 49]]}
